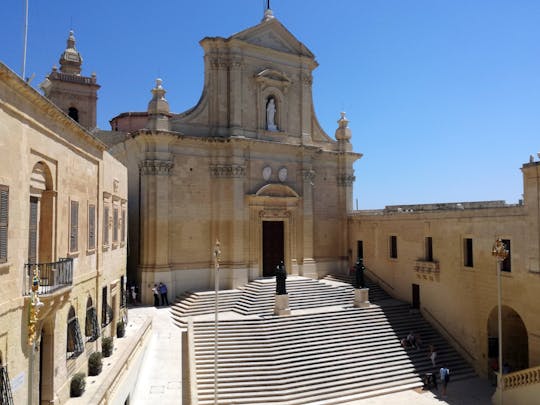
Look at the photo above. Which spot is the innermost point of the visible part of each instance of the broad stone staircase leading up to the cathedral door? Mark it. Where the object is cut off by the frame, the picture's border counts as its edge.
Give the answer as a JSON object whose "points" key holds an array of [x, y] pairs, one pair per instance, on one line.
{"points": [[325, 352]]}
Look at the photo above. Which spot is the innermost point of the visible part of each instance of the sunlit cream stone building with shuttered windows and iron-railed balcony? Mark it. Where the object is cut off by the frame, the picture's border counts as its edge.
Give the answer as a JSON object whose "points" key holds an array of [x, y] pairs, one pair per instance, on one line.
{"points": [[63, 205]]}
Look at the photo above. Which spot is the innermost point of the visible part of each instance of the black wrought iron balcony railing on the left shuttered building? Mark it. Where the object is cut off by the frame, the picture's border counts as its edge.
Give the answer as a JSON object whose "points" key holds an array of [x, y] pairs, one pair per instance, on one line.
{"points": [[52, 276]]}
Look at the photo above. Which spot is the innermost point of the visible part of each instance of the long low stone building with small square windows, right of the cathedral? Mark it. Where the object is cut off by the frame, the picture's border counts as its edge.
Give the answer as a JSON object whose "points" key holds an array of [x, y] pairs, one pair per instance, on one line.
{"points": [[439, 258]]}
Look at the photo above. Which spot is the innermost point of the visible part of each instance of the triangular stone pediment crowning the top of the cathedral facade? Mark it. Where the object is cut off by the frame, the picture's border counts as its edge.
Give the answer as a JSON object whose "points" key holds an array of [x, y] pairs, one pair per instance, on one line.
{"points": [[272, 34]]}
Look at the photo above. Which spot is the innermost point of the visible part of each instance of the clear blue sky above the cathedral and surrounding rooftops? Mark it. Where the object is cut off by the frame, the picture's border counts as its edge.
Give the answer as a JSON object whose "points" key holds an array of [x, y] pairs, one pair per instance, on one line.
{"points": [[443, 97]]}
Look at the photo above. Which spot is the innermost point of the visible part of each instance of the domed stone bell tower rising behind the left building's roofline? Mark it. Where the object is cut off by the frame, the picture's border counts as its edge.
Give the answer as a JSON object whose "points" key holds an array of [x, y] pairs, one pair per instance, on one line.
{"points": [[73, 93]]}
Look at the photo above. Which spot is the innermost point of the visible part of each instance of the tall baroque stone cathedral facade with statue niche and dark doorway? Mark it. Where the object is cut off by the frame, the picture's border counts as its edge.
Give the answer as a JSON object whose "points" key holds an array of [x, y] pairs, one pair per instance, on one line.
{"points": [[249, 166]]}
